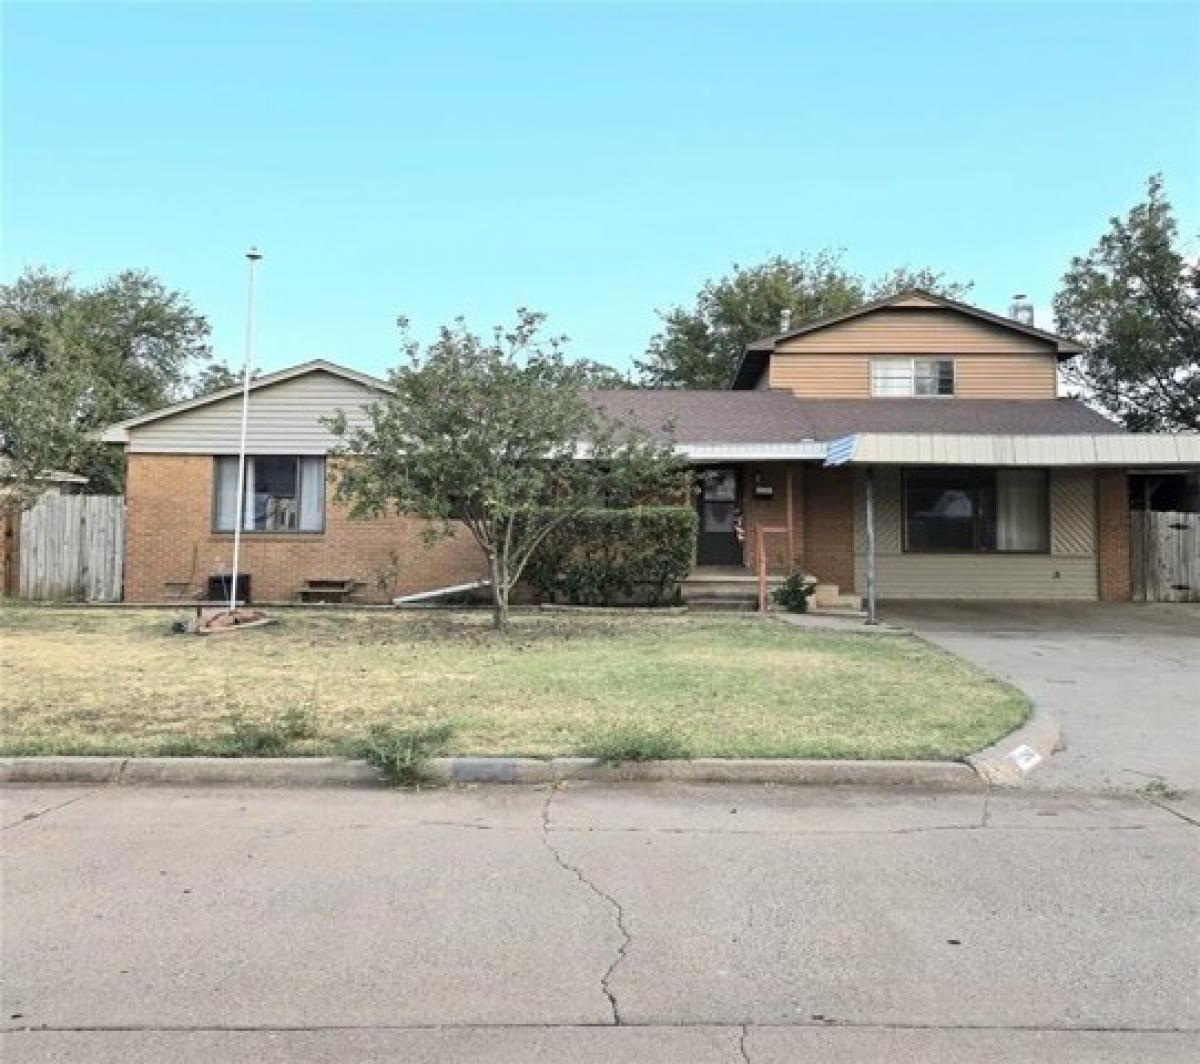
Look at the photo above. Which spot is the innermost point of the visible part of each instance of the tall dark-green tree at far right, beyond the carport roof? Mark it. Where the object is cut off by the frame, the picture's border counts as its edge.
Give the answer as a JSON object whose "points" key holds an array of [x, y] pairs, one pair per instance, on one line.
{"points": [[1133, 302]]}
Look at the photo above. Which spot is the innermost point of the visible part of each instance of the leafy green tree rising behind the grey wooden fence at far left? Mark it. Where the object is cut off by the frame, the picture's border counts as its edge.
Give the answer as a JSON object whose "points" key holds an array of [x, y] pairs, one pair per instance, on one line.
{"points": [[74, 360]]}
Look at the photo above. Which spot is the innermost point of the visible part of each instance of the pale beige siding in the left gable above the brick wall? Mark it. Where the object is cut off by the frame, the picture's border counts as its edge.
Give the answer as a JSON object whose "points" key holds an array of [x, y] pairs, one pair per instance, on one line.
{"points": [[285, 419]]}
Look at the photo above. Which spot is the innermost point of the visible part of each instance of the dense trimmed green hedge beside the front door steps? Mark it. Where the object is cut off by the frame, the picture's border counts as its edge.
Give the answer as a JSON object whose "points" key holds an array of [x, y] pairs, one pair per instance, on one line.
{"points": [[616, 557]]}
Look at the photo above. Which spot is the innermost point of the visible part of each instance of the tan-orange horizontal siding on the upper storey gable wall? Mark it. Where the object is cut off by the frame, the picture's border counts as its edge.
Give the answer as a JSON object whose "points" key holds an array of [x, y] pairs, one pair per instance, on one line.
{"points": [[989, 360]]}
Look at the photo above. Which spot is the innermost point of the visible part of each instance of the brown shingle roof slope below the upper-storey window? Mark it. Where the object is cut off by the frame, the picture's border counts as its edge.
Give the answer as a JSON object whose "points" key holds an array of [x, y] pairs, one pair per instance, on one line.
{"points": [[779, 417]]}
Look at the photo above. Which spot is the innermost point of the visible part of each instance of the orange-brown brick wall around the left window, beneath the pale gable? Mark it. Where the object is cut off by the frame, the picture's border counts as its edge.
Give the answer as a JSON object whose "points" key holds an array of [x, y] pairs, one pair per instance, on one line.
{"points": [[169, 538]]}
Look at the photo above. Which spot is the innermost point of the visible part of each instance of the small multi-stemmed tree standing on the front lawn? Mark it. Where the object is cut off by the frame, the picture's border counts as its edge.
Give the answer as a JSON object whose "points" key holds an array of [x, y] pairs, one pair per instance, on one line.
{"points": [[495, 436]]}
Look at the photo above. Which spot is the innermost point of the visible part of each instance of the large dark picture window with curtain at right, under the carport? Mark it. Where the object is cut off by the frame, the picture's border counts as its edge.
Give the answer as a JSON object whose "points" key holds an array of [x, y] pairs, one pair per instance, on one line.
{"points": [[977, 510]]}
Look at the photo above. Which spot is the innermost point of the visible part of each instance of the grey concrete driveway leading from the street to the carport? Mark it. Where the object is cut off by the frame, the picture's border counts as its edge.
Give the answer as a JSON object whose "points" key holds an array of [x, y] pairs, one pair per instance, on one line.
{"points": [[1124, 680]]}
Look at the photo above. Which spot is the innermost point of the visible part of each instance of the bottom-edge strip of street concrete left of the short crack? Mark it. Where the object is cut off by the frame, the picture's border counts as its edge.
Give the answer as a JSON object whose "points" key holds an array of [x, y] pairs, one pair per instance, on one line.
{"points": [[614, 1045]]}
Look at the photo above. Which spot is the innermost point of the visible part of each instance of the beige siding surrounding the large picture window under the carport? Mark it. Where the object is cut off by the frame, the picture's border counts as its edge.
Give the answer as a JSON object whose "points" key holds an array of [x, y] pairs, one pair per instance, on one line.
{"points": [[1069, 572]]}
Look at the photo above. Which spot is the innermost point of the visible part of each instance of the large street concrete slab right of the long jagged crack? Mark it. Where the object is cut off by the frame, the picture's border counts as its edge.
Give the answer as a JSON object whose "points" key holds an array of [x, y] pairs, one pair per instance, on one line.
{"points": [[957, 928]]}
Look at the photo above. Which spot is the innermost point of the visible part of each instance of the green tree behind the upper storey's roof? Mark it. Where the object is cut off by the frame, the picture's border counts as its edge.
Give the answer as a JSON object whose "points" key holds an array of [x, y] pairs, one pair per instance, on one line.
{"points": [[700, 347]]}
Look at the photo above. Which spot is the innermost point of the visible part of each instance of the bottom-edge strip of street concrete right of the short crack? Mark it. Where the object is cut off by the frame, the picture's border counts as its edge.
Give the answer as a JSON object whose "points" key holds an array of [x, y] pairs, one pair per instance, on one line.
{"points": [[779, 1045]]}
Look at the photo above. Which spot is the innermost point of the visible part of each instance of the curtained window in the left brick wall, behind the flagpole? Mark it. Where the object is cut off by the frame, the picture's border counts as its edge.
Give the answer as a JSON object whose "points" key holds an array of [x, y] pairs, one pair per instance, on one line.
{"points": [[284, 494]]}
